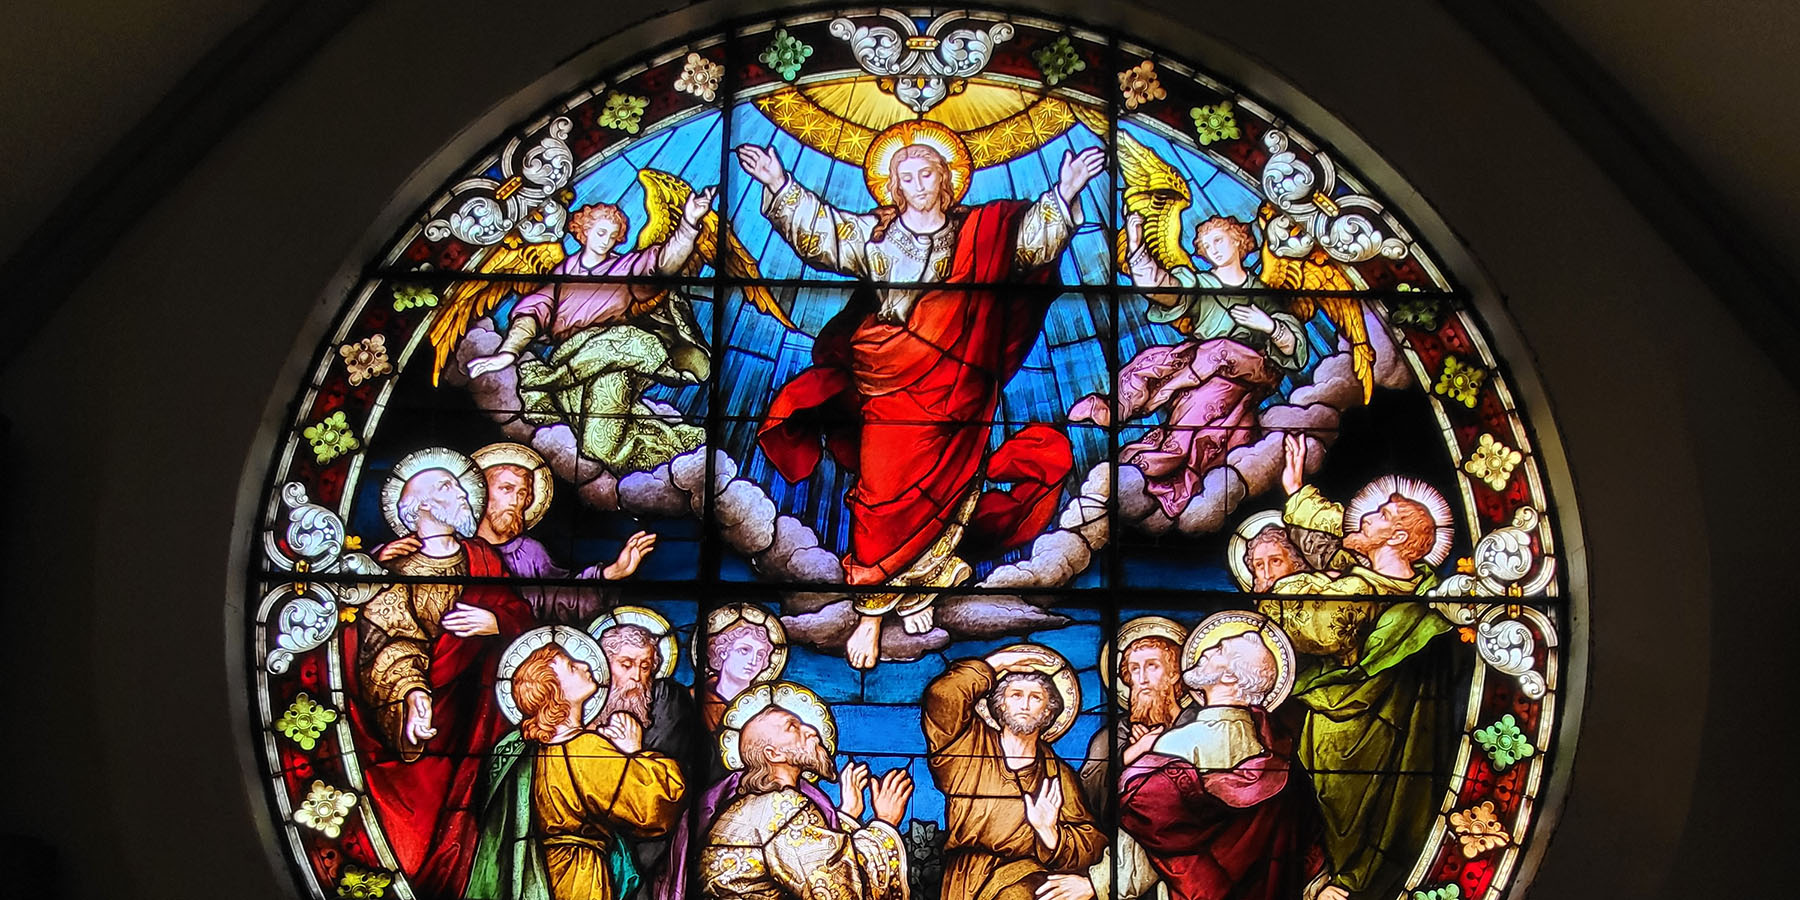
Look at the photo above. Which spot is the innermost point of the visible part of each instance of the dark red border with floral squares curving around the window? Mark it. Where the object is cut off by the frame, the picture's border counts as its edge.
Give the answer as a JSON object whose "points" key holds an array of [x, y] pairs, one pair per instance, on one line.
{"points": [[1486, 818]]}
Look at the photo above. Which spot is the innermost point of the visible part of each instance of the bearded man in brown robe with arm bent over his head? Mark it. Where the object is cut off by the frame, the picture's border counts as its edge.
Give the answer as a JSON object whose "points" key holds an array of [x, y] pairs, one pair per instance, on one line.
{"points": [[1016, 818]]}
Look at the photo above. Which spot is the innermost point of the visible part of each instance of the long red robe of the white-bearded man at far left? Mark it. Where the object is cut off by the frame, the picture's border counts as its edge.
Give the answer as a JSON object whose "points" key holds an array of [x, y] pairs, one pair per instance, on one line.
{"points": [[427, 807]]}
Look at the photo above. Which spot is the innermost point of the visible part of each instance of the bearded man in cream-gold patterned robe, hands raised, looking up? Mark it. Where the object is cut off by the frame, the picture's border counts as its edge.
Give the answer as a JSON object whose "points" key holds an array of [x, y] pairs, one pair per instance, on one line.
{"points": [[777, 838]]}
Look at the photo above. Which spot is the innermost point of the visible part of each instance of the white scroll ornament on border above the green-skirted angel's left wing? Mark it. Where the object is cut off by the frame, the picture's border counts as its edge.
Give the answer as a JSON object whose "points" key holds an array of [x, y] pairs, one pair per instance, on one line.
{"points": [[485, 210]]}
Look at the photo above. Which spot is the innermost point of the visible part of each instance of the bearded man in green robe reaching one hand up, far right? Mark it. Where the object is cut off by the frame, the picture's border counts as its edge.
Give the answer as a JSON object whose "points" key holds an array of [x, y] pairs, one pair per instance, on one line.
{"points": [[1372, 674]]}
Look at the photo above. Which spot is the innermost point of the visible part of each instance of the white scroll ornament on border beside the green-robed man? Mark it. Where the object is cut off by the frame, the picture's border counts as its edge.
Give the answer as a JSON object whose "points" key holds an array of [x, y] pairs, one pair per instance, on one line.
{"points": [[1506, 566]]}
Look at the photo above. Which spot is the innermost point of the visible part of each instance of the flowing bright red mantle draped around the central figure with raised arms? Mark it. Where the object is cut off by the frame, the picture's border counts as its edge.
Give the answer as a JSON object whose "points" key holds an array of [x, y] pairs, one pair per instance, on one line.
{"points": [[908, 409]]}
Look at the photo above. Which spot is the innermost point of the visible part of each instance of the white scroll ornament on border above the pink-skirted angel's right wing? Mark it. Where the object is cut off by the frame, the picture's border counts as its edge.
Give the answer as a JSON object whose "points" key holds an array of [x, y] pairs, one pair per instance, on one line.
{"points": [[1308, 215]]}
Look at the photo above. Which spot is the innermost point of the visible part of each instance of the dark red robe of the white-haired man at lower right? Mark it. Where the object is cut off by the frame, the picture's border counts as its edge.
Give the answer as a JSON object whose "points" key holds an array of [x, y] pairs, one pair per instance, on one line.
{"points": [[1252, 832]]}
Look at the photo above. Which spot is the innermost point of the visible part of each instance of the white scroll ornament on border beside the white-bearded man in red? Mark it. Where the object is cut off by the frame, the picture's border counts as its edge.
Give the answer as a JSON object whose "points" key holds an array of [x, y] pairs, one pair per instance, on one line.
{"points": [[316, 543]]}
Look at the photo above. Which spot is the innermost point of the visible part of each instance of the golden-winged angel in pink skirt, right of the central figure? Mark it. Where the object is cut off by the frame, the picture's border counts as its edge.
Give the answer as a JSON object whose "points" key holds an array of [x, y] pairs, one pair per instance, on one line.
{"points": [[1239, 346]]}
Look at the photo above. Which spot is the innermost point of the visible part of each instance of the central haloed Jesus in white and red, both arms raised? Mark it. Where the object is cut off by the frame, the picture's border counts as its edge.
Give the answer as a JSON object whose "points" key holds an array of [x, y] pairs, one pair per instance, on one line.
{"points": [[908, 377]]}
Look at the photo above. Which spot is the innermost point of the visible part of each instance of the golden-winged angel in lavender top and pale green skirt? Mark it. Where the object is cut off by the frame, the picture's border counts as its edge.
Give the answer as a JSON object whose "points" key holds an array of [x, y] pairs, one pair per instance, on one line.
{"points": [[609, 341]]}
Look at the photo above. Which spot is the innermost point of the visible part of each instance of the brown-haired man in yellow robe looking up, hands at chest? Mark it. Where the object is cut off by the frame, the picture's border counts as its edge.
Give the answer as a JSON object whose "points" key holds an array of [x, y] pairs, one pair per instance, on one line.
{"points": [[591, 791]]}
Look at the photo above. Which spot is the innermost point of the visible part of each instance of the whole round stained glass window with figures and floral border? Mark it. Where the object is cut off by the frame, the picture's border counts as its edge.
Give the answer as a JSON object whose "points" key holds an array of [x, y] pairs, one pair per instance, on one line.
{"points": [[886, 456]]}
